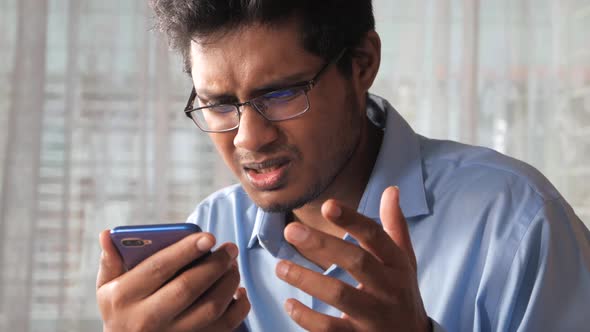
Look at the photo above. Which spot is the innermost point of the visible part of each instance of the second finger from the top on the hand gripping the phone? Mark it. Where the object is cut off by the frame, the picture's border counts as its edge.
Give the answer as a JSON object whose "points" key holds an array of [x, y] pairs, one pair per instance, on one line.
{"points": [[178, 294]]}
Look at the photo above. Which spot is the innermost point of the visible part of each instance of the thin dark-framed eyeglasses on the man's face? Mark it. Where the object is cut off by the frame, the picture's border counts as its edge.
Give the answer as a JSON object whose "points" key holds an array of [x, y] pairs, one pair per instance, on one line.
{"points": [[278, 105]]}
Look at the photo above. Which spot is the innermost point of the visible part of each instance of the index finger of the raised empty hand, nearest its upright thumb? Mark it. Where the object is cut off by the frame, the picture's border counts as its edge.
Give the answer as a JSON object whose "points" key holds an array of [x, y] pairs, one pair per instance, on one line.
{"points": [[366, 231]]}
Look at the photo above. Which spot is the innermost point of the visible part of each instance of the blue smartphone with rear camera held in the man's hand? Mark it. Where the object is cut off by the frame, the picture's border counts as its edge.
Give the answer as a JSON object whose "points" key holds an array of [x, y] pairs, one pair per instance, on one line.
{"points": [[138, 242]]}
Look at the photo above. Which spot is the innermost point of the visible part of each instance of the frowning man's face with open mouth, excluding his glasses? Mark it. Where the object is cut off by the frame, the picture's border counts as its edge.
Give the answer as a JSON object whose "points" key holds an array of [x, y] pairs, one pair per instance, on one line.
{"points": [[281, 165]]}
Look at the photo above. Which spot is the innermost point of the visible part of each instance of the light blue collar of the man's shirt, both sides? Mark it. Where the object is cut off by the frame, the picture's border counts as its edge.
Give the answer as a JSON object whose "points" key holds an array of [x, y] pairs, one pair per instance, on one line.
{"points": [[399, 163]]}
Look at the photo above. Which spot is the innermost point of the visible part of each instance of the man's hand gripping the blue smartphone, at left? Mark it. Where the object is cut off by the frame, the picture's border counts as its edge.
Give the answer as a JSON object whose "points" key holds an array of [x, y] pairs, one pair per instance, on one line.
{"points": [[145, 298]]}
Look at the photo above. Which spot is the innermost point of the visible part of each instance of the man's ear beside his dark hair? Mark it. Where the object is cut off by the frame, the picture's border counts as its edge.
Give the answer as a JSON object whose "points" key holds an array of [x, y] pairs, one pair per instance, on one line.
{"points": [[365, 61]]}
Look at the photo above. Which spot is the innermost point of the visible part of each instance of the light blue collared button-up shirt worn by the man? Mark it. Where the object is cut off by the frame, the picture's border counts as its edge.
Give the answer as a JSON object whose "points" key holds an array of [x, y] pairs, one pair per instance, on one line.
{"points": [[498, 248]]}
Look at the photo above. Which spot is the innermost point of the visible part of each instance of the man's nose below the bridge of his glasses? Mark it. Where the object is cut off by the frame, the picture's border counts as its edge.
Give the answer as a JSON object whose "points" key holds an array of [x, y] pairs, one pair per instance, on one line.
{"points": [[254, 131]]}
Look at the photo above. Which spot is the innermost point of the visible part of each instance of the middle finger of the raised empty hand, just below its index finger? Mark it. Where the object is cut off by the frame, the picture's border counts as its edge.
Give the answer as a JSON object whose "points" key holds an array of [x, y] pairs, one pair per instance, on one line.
{"points": [[319, 246]]}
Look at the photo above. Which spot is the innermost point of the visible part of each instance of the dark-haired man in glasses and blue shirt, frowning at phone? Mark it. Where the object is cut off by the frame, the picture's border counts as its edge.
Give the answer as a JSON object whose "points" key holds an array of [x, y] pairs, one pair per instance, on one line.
{"points": [[315, 232]]}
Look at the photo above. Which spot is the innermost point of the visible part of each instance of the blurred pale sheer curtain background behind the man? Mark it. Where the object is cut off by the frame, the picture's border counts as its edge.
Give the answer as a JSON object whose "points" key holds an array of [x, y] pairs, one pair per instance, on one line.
{"points": [[92, 133]]}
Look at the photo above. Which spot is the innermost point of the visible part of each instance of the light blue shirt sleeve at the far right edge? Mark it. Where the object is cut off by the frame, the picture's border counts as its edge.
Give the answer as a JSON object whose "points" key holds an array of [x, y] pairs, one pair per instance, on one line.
{"points": [[548, 284]]}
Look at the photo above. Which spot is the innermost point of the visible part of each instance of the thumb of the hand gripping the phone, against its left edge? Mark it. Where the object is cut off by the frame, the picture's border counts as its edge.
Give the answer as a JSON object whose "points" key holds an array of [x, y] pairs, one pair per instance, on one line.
{"points": [[111, 266]]}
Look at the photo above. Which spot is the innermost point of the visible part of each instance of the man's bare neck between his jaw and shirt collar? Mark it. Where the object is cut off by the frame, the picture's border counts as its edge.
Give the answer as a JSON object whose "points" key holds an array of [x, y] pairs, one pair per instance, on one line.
{"points": [[349, 184]]}
